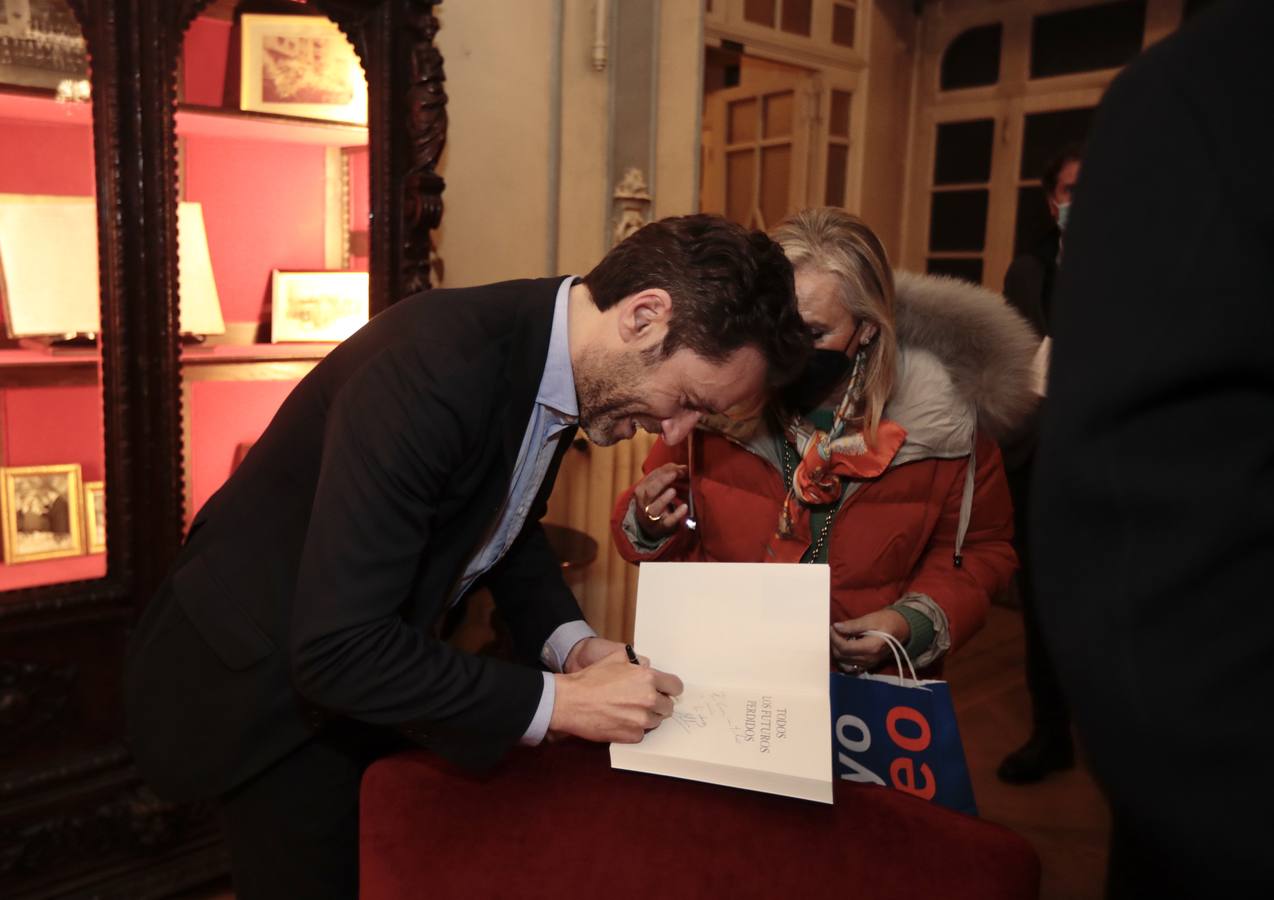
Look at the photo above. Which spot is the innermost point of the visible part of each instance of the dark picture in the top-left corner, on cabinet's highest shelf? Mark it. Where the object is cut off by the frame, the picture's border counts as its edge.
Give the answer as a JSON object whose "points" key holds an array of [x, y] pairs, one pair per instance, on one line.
{"points": [[41, 44]]}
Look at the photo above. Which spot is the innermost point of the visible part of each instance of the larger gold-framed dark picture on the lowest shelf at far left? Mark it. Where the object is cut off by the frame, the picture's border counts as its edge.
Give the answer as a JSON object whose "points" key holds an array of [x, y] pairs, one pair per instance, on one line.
{"points": [[41, 512]]}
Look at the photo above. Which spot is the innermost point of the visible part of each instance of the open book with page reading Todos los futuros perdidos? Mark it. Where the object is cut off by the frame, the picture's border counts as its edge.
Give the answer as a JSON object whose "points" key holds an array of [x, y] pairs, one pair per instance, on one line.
{"points": [[751, 644]]}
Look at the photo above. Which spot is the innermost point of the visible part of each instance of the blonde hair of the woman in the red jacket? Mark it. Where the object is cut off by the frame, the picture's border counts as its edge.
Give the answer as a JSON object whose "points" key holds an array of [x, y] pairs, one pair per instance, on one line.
{"points": [[831, 240]]}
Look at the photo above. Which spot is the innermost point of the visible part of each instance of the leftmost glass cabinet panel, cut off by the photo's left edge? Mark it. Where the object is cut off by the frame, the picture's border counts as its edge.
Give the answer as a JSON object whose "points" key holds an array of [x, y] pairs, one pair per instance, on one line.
{"points": [[53, 453]]}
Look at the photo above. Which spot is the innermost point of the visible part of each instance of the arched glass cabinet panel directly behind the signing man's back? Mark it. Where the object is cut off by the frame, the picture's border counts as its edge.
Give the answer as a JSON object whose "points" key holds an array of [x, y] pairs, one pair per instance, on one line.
{"points": [[276, 205]]}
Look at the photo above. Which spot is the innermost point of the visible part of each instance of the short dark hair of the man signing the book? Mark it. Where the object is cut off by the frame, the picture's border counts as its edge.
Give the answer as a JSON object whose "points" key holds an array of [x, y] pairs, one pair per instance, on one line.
{"points": [[731, 289]]}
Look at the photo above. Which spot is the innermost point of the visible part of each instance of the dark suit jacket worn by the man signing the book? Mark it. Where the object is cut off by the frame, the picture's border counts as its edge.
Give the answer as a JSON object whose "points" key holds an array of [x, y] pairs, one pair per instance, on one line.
{"points": [[313, 583]]}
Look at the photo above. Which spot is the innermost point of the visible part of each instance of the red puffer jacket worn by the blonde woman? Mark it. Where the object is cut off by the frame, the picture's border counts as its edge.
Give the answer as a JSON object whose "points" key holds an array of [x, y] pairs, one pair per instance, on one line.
{"points": [[896, 535]]}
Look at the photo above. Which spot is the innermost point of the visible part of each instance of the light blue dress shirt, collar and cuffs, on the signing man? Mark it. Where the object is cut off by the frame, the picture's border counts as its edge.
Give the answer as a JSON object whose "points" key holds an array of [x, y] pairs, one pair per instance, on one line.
{"points": [[556, 410]]}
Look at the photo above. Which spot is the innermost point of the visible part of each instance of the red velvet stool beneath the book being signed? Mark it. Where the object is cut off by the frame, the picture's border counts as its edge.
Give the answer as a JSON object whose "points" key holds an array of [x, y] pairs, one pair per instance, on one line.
{"points": [[559, 823]]}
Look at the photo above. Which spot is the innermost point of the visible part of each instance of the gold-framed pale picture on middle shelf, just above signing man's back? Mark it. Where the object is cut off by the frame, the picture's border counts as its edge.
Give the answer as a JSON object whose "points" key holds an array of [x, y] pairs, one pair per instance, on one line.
{"points": [[318, 305]]}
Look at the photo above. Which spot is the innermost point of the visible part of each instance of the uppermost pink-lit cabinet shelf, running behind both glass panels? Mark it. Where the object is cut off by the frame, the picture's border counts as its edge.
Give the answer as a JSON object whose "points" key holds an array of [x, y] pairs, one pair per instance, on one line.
{"points": [[41, 106]]}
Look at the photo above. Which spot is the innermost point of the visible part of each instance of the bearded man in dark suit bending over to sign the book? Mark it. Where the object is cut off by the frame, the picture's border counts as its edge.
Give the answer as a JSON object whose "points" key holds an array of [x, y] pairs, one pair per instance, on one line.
{"points": [[296, 638]]}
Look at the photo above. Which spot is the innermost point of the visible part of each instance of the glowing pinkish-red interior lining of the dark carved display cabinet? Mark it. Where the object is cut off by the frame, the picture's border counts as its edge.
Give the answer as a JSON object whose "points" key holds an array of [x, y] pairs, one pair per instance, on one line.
{"points": [[263, 184]]}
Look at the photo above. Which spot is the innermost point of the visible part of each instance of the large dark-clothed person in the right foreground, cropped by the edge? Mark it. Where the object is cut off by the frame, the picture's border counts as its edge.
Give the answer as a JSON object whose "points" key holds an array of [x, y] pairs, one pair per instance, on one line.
{"points": [[1155, 480]]}
